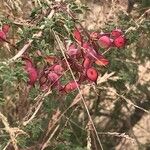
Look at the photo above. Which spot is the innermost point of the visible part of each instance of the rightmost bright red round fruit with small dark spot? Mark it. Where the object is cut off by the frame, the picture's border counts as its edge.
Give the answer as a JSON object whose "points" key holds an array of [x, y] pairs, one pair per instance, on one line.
{"points": [[120, 42]]}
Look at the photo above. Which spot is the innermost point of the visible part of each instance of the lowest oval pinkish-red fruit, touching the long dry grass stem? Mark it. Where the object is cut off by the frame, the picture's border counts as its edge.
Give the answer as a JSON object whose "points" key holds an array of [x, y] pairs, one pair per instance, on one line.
{"points": [[71, 86]]}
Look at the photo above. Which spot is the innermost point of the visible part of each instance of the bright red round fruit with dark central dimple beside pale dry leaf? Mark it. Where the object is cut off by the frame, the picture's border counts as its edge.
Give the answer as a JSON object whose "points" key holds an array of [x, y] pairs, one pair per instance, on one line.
{"points": [[92, 74]]}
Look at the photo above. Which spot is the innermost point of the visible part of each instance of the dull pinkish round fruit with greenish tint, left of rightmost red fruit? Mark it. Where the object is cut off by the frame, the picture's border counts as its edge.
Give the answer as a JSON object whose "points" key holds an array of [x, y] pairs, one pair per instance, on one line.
{"points": [[105, 42]]}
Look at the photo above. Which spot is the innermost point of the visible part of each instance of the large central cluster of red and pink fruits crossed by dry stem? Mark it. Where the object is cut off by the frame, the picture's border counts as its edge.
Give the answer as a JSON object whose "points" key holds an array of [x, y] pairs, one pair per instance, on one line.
{"points": [[82, 55]]}
